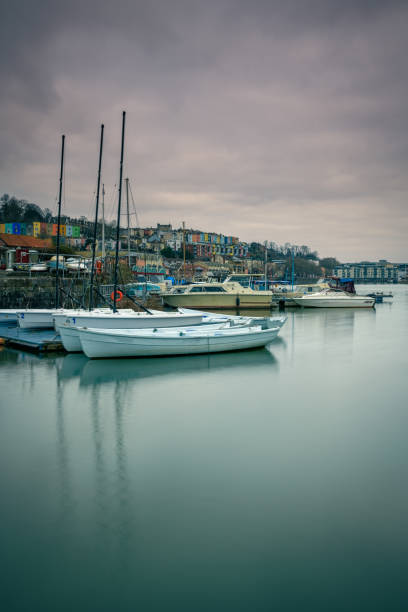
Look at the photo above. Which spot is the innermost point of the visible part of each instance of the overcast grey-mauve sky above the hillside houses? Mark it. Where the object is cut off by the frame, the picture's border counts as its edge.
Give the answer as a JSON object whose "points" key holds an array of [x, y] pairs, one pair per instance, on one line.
{"points": [[267, 120]]}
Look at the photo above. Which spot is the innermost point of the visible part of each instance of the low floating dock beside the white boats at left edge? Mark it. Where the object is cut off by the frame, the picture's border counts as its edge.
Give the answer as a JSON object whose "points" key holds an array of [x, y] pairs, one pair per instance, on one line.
{"points": [[38, 340]]}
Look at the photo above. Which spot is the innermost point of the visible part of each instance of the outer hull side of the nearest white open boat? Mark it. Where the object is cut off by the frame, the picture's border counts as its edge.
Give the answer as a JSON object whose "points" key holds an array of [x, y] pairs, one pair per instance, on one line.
{"points": [[98, 344]]}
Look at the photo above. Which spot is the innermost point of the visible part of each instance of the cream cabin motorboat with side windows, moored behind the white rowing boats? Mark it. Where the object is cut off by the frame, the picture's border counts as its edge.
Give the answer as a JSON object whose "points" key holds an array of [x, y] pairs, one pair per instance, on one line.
{"points": [[217, 296]]}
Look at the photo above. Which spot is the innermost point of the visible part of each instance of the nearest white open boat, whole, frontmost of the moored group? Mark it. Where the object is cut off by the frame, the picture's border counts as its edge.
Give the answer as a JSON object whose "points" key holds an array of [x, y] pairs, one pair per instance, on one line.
{"points": [[98, 343]]}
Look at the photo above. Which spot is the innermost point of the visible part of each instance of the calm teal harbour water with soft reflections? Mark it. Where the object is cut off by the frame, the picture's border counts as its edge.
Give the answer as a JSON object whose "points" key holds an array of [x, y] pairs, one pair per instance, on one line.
{"points": [[267, 480]]}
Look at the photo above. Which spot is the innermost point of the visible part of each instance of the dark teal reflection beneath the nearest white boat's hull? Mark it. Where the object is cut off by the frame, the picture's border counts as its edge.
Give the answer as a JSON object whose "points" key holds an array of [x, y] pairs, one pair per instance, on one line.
{"points": [[115, 370]]}
